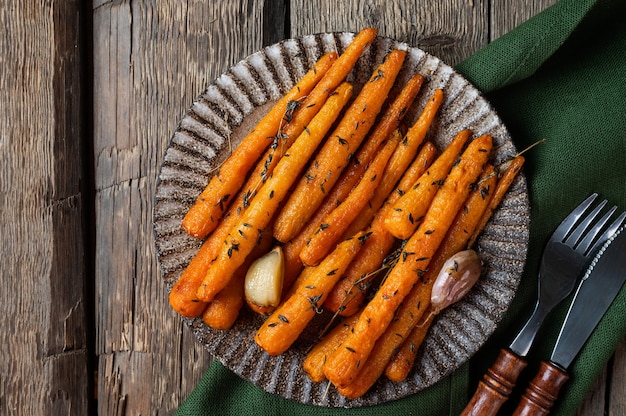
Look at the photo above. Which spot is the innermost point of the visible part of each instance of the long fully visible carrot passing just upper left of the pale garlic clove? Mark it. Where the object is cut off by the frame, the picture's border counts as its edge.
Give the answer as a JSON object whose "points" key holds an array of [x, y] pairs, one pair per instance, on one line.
{"points": [[261, 209]]}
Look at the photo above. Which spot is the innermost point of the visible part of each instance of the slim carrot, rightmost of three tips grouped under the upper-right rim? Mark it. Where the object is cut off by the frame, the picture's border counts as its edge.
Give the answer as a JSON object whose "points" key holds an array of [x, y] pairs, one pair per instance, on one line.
{"points": [[400, 160]]}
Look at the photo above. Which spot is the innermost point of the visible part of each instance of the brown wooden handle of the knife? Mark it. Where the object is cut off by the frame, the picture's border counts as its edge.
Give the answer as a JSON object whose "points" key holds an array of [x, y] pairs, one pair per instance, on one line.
{"points": [[542, 391]]}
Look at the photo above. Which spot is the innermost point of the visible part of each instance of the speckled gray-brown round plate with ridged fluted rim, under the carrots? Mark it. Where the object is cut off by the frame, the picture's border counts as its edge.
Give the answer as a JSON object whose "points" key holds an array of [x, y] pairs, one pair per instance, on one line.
{"points": [[217, 121]]}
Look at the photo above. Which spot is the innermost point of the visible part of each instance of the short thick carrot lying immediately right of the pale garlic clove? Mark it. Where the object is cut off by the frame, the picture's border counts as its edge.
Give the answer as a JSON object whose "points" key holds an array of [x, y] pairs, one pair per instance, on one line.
{"points": [[291, 317]]}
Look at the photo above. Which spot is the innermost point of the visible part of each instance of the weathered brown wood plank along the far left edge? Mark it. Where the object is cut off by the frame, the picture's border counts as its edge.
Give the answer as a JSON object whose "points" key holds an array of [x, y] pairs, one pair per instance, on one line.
{"points": [[44, 362]]}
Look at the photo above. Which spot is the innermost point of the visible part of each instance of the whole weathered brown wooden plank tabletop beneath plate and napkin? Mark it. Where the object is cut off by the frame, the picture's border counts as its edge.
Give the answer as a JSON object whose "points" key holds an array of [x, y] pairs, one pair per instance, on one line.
{"points": [[91, 93]]}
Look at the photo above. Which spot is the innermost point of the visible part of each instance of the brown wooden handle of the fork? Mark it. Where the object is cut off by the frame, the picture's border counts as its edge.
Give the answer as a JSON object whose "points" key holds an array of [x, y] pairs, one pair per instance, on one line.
{"points": [[494, 389]]}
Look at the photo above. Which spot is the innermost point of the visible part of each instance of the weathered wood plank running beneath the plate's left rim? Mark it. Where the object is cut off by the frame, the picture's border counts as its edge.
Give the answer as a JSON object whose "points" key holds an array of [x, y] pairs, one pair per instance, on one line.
{"points": [[151, 59]]}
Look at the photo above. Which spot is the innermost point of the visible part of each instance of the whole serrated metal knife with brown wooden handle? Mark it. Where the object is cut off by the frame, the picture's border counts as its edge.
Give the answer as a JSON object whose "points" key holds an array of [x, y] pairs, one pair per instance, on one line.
{"points": [[597, 290]]}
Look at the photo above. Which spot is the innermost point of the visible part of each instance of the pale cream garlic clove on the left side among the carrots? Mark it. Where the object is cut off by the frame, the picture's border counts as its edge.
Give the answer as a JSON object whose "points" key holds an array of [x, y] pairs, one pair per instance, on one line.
{"points": [[263, 284]]}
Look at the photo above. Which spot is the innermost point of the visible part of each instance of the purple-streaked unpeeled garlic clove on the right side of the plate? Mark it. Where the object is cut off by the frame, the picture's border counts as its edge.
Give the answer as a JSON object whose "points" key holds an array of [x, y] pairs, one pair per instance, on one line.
{"points": [[457, 276]]}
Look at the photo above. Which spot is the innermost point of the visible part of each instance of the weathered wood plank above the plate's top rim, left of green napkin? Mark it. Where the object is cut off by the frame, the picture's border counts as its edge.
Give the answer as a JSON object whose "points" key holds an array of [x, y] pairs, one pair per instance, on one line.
{"points": [[450, 29]]}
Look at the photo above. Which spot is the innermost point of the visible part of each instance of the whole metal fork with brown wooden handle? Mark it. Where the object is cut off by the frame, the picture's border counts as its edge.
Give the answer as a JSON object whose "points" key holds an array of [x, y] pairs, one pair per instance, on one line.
{"points": [[567, 252]]}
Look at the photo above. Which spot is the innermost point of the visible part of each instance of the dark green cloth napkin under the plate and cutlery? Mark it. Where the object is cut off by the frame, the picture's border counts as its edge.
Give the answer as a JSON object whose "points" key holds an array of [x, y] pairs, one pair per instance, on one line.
{"points": [[561, 76]]}
